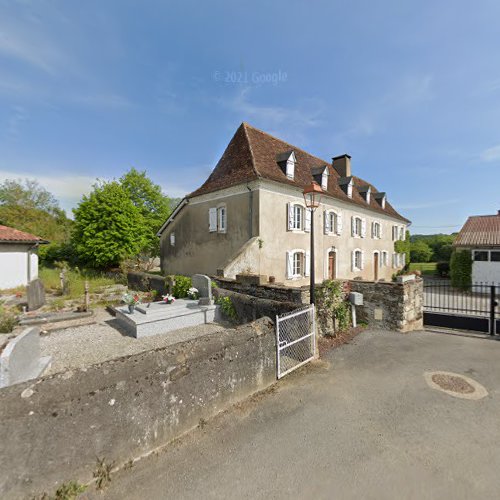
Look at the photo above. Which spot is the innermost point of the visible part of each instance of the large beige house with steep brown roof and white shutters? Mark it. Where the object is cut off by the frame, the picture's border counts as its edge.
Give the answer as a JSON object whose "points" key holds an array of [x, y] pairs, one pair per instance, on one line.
{"points": [[249, 217]]}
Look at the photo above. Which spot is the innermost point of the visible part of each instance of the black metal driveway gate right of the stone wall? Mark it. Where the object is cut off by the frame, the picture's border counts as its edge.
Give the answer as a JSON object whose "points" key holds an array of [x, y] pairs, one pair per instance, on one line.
{"points": [[473, 309]]}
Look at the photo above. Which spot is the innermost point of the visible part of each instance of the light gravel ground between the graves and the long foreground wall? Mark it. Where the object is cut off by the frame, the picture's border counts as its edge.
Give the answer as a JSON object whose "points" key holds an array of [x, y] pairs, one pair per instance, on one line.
{"points": [[80, 346]]}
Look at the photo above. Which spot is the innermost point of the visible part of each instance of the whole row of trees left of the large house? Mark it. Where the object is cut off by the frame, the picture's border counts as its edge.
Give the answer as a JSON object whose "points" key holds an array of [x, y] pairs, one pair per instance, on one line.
{"points": [[117, 220]]}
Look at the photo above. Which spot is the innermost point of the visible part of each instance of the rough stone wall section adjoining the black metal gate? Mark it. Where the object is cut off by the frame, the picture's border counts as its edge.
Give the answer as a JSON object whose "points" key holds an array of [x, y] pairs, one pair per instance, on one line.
{"points": [[392, 306]]}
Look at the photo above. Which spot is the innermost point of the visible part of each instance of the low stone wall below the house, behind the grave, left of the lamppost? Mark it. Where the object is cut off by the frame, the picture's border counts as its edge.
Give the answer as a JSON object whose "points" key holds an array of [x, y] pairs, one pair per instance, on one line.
{"points": [[297, 295]]}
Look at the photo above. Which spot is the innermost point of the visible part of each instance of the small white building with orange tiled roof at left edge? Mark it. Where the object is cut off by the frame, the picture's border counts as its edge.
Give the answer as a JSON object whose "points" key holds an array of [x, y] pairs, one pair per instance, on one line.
{"points": [[18, 257]]}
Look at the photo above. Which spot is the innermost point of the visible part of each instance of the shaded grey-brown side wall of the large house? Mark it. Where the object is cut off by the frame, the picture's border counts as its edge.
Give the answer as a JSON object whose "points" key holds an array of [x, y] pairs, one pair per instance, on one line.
{"points": [[196, 249]]}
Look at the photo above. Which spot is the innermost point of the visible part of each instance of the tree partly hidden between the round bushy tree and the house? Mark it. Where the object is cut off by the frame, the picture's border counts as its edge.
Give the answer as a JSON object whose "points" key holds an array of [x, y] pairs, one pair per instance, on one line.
{"points": [[154, 206]]}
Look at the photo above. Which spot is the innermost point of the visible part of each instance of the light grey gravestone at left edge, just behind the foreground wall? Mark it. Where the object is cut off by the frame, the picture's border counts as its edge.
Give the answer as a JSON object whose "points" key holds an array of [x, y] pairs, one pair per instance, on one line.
{"points": [[20, 360]]}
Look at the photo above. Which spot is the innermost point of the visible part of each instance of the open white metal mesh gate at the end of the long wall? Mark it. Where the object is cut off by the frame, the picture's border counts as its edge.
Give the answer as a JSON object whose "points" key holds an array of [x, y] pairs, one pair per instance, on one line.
{"points": [[295, 339]]}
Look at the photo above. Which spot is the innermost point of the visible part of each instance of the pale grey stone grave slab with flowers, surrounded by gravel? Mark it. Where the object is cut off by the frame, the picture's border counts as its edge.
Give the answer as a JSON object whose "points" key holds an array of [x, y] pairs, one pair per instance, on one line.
{"points": [[158, 317]]}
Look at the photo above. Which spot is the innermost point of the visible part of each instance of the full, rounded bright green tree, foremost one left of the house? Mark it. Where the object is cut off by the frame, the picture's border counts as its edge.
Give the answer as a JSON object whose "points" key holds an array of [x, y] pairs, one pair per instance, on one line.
{"points": [[108, 226]]}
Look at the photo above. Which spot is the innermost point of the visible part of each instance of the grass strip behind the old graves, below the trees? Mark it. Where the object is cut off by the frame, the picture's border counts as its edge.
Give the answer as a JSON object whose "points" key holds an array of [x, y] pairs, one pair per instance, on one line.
{"points": [[52, 282]]}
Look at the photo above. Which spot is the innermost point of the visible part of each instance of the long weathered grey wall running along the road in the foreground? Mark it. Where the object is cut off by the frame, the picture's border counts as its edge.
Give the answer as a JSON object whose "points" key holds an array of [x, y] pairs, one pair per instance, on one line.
{"points": [[54, 428]]}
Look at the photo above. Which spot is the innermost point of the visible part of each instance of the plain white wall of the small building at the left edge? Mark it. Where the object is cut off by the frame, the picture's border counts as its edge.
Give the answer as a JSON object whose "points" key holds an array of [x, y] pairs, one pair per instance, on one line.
{"points": [[18, 265]]}
